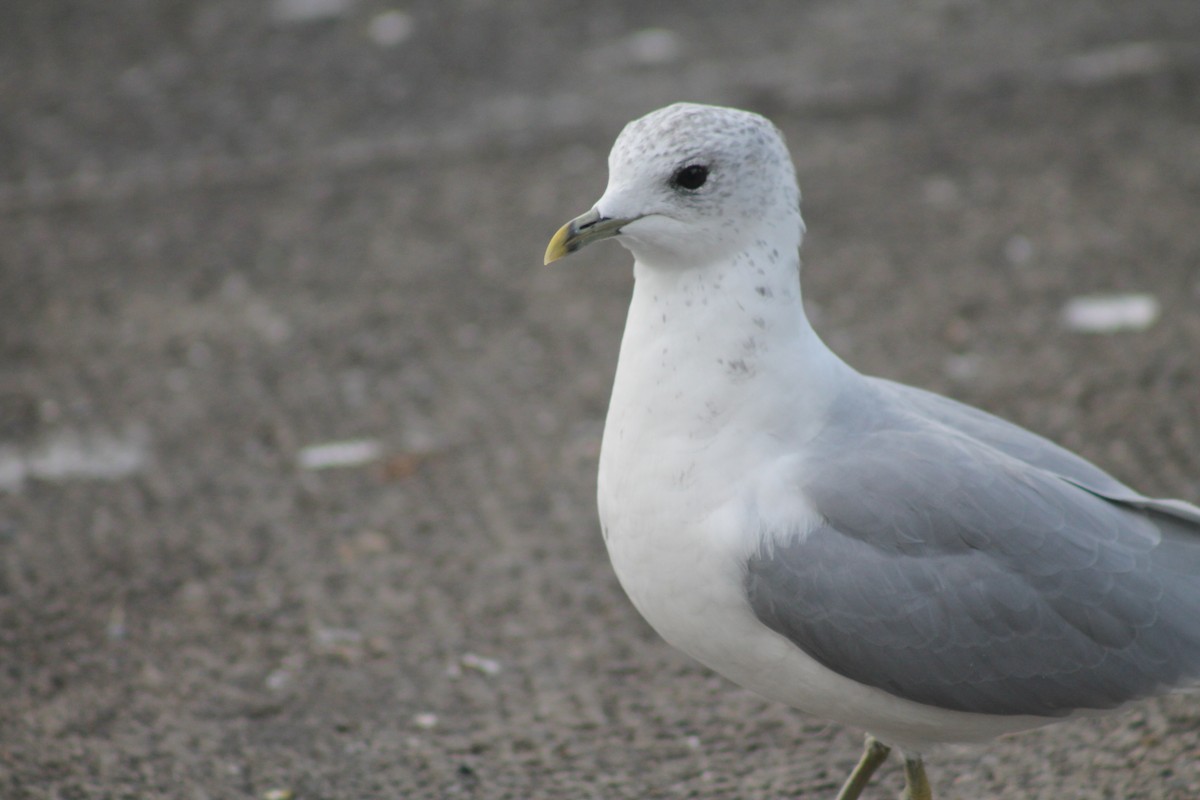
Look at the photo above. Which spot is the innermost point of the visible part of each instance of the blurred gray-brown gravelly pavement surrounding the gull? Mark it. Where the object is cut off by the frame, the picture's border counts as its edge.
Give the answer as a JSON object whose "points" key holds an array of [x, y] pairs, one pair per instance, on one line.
{"points": [[298, 437]]}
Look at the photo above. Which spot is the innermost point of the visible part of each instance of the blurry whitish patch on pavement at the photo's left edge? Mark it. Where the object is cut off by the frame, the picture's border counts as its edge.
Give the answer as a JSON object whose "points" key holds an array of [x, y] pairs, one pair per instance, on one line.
{"points": [[75, 455]]}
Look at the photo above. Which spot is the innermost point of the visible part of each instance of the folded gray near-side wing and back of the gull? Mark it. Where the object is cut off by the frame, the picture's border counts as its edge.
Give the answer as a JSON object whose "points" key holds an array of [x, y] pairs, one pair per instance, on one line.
{"points": [[953, 574]]}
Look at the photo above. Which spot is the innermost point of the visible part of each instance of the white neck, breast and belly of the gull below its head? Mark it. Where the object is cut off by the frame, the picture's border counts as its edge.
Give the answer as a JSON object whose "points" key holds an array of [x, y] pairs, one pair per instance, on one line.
{"points": [[694, 449]]}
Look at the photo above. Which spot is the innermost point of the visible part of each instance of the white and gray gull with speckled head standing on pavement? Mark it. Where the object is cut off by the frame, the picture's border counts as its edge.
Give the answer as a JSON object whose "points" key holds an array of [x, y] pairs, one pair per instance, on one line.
{"points": [[860, 550]]}
